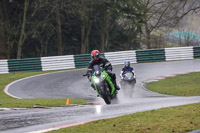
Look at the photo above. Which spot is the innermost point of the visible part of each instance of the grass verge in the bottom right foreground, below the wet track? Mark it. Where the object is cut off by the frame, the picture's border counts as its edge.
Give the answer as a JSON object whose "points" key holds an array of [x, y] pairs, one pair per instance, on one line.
{"points": [[167, 120]]}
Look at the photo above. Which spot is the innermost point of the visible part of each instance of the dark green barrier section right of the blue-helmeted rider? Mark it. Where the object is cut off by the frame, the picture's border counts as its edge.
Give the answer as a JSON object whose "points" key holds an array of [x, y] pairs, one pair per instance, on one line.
{"points": [[151, 55]]}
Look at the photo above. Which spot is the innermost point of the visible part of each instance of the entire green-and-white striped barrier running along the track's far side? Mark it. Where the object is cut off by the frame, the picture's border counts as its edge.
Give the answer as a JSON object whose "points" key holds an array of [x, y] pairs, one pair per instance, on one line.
{"points": [[81, 61]]}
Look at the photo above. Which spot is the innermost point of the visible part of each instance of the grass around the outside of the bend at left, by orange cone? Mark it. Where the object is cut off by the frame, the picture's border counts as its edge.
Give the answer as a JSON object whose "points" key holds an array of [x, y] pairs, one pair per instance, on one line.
{"points": [[9, 102]]}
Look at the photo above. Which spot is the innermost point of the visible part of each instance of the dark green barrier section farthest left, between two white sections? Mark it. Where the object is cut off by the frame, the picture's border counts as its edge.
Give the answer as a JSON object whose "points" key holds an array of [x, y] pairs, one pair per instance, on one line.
{"points": [[24, 65]]}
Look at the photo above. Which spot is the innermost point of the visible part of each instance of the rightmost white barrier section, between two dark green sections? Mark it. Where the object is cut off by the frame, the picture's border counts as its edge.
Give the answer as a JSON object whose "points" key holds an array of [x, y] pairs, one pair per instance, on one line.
{"points": [[180, 53]]}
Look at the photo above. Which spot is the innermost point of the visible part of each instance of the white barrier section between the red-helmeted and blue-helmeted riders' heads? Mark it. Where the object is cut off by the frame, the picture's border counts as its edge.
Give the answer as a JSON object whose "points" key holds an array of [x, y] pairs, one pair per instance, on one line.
{"points": [[117, 58]]}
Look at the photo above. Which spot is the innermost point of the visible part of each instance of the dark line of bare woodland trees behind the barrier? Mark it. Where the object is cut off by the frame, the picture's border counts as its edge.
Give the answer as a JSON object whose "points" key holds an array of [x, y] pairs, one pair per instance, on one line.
{"points": [[36, 28]]}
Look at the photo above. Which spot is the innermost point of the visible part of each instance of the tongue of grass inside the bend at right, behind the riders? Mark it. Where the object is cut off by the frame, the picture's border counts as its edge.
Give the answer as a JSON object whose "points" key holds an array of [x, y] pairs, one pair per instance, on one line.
{"points": [[181, 85]]}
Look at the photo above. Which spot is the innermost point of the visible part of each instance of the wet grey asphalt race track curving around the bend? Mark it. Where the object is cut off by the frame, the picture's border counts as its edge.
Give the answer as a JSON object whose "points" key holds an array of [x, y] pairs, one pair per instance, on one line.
{"points": [[71, 84]]}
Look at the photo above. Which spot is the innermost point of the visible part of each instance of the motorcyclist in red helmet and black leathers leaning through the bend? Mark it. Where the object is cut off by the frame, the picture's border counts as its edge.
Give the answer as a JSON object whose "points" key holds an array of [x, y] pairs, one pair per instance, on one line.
{"points": [[97, 60]]}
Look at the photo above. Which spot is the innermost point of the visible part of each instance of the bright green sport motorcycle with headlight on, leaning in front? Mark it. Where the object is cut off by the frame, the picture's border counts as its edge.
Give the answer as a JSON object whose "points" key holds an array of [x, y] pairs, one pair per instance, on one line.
{"points": [[103, 84]]}
